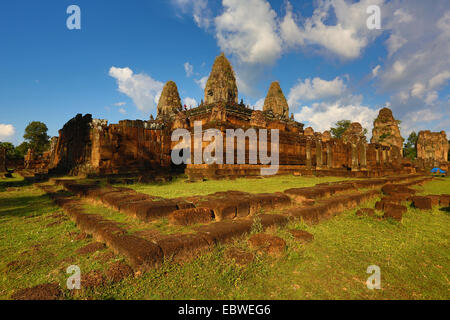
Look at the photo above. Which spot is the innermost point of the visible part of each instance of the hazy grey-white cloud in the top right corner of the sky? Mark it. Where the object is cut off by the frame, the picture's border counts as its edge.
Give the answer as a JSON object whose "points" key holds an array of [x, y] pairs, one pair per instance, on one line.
{"points": [[417, 67]]}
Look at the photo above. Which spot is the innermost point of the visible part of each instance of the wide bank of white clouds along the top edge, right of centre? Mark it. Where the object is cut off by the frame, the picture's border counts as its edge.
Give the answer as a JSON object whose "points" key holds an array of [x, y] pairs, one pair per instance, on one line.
{"points": [[252, 31]]}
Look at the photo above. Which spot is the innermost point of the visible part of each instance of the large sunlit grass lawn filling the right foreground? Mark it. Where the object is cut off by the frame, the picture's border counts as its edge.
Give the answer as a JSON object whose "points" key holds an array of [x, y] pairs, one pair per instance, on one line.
{"points": [[414, 258]]}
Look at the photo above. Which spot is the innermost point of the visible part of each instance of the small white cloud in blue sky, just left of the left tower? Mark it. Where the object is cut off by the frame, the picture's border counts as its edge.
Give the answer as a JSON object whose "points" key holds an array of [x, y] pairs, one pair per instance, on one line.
{"points": [[141, 88]]}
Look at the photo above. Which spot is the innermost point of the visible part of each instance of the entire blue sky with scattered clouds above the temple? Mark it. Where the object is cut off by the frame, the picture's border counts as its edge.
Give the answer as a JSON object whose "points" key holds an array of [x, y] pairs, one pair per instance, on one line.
{"points": [[329, 64]]}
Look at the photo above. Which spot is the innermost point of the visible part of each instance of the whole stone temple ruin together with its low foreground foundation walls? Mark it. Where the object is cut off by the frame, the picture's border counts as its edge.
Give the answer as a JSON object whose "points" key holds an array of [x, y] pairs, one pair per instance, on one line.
{"points": [[143, 149]]}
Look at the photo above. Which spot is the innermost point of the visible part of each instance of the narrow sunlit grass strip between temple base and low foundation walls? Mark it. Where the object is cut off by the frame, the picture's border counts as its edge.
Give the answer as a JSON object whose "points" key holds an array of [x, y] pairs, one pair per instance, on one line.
{"points": [[179, 188]]}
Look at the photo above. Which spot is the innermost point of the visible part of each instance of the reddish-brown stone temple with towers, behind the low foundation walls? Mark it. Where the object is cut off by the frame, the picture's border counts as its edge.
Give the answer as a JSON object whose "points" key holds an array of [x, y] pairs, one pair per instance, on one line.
{"points": [[88, 146]]}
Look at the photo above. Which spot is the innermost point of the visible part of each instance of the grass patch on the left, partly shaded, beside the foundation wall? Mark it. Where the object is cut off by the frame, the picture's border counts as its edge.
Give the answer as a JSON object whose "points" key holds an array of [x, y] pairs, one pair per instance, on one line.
{"points": [[37, 242]]}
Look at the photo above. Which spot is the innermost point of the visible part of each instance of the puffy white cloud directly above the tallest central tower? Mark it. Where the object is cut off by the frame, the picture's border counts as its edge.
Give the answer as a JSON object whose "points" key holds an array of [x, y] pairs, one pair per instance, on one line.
{"points": [[248, 30]]}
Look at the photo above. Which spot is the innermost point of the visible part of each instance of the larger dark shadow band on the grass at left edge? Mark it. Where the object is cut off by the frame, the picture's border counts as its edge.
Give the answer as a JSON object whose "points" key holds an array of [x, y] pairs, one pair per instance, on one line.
{"points": [[25, 206]]}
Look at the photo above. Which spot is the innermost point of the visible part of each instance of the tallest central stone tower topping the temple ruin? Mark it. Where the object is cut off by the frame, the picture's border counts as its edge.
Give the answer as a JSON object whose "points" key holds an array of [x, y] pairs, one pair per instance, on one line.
{"points": [[221, 85]]}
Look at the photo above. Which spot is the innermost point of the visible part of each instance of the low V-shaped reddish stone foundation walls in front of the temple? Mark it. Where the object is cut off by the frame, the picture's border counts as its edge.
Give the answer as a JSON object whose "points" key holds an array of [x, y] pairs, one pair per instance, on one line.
{"points": [[228, 214]]}
